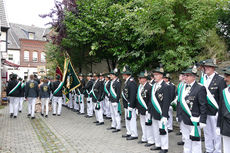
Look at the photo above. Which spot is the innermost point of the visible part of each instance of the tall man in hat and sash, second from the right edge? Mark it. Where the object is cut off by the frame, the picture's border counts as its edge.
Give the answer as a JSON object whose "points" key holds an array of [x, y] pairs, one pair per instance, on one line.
{"points": [[214, 85]]}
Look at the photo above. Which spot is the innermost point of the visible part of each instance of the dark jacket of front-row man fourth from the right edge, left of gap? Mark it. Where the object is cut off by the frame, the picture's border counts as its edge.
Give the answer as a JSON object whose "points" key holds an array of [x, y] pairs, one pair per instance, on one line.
{"points": [[163, 96]]}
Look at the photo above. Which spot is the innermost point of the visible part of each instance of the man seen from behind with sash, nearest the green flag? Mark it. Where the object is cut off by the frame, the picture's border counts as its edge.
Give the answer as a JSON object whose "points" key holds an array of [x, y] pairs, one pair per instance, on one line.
{"points": [[57, 88]]}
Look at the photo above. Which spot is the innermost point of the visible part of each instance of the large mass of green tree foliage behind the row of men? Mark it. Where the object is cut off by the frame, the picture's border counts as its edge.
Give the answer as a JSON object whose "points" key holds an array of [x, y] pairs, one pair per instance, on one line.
{"points": [[144, 33]]}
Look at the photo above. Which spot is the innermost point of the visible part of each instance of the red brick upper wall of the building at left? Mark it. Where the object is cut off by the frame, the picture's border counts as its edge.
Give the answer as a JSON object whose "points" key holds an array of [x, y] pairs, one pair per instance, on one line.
{"points": [[32, 46]]}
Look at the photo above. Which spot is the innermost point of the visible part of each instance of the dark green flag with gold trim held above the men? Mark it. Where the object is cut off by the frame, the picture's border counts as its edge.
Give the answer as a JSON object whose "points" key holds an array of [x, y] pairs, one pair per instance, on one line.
{"points": [[70, 79]]}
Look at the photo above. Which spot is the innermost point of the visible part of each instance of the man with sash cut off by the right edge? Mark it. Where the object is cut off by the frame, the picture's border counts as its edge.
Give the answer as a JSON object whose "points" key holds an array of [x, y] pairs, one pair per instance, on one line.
{"points": [[224, 113]]}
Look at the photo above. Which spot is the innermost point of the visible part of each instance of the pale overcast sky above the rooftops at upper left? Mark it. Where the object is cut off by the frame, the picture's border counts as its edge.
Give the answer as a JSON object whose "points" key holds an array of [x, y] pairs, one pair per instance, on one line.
{"points": [[27, 11]]}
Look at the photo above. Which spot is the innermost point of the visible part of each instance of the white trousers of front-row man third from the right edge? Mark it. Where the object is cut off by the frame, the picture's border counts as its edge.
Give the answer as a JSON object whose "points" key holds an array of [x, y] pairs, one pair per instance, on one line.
{"points": [[189, 145]]}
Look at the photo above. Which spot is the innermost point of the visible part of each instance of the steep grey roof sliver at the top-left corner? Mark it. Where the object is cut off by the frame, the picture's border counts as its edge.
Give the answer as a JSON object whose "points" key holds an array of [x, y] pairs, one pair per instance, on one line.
{"points": [[3, 17]]}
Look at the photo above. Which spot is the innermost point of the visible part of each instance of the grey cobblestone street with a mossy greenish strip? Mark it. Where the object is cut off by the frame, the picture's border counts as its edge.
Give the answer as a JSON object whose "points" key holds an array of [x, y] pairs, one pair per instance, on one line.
{"points": [[69, 132]]}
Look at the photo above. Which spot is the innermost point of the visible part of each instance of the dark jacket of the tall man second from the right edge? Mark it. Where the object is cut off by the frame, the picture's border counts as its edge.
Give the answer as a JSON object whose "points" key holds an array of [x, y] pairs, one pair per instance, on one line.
{"points": [[216, 87]]}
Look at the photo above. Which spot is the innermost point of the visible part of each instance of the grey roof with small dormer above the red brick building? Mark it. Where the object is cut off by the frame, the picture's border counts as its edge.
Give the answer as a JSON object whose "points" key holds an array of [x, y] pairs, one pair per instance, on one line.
{"points": [[19, 31]]}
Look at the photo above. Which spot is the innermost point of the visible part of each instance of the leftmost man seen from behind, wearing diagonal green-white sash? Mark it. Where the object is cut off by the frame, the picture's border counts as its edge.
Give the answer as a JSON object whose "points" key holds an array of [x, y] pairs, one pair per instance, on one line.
{"points": [[13, 91]]}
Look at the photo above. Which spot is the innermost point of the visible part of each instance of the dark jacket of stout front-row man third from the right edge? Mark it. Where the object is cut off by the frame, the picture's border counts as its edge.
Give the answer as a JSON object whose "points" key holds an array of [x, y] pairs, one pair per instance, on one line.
{"points": [[197, 102]]}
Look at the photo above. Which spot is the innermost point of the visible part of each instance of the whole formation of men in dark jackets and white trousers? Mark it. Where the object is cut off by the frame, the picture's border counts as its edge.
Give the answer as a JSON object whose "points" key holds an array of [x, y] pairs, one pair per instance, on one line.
{"points": [[200, 105]]}
